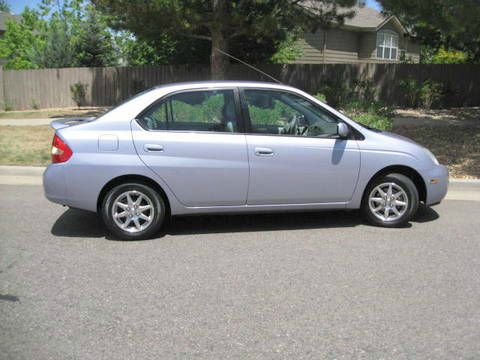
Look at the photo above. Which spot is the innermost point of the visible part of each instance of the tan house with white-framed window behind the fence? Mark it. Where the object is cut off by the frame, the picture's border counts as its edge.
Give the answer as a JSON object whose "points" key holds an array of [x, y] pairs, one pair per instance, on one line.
{"points": [[367, 37]]}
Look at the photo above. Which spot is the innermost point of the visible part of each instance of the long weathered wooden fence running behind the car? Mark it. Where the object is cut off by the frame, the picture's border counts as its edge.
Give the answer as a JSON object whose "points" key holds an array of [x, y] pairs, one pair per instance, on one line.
{"points": [[47, 88]]}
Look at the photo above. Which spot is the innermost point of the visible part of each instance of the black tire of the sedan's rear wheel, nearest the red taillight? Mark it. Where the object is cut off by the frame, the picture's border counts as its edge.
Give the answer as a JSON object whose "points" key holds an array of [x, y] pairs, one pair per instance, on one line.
{"points": [[156, 202]]}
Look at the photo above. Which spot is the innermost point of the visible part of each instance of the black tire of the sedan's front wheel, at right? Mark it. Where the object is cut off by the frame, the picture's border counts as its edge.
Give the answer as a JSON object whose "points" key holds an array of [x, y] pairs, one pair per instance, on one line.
{"points": [[409, 188]]}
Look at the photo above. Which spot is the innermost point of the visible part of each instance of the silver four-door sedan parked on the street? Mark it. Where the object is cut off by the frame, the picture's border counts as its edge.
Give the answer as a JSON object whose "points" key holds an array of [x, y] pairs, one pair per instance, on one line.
{"points": [[231, 147]]}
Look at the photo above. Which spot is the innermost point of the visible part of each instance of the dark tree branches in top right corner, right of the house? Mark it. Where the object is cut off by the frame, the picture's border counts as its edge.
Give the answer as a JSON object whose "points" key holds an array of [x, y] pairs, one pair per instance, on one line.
{"points": [[448, 24]]}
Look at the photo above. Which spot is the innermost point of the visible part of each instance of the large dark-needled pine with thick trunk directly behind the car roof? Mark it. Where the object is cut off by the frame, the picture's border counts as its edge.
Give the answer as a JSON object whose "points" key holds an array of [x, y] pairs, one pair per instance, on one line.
{"points": [[221, 24]]}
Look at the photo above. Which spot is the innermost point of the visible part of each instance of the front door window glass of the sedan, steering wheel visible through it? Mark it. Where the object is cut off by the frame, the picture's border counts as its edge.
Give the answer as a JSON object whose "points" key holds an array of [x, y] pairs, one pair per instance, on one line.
{"points": [[284, 113]]}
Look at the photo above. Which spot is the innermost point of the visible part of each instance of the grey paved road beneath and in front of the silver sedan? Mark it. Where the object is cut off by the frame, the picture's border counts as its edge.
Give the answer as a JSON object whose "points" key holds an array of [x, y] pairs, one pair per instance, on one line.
{"points": [[295, 286]]}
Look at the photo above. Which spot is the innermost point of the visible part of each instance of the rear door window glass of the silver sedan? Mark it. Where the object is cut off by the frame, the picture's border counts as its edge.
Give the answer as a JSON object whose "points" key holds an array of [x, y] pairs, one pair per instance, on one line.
{"points": [[206, 110]]}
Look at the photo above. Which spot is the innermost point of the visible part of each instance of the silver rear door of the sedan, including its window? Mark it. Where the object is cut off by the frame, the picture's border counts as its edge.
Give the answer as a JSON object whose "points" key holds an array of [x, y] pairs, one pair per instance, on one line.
{"points": [[191, 140]]}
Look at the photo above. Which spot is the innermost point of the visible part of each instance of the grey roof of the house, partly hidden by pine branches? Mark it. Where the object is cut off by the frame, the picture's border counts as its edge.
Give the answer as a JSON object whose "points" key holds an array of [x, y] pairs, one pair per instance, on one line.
{"points": [[364, 19]]}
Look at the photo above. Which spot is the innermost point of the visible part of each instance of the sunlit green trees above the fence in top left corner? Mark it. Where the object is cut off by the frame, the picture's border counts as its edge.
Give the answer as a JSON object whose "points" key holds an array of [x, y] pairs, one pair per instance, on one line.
{"points": [[60, 34]]}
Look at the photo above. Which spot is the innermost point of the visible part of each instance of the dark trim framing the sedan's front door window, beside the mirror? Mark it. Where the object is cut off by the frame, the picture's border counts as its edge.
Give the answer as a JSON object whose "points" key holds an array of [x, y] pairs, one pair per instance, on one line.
{"points": [[354, 133]]}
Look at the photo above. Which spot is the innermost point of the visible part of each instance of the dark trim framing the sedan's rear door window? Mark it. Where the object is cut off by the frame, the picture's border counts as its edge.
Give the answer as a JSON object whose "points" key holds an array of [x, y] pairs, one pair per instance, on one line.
{"points": [[238, 112]]}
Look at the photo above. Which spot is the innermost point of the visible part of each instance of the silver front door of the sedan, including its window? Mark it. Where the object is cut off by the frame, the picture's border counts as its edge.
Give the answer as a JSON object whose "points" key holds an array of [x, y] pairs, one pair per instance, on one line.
{"points": [[295, 154]]}
